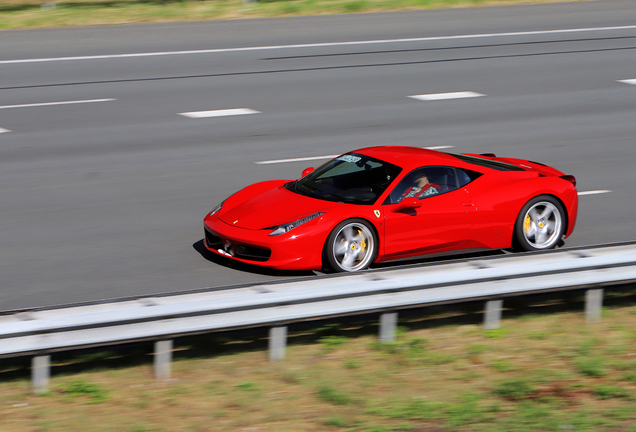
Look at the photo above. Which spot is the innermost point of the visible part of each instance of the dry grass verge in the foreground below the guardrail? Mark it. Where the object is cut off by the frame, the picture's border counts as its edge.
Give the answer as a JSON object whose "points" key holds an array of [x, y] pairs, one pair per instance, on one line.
{"points": [[444, 373]]}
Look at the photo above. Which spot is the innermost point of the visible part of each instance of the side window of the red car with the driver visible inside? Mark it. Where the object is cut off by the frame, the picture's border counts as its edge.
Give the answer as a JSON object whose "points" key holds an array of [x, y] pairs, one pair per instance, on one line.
{"points": [[425, 182]]}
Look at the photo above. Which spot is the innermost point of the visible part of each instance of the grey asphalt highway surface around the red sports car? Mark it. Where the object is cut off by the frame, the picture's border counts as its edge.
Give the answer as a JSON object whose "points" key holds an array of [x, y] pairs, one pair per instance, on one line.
{"points": [[104, 182]]}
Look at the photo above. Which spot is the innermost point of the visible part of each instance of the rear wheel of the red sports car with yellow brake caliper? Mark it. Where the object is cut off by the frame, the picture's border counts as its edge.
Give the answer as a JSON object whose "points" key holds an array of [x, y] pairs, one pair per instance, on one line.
{"points": [[540, 224]]}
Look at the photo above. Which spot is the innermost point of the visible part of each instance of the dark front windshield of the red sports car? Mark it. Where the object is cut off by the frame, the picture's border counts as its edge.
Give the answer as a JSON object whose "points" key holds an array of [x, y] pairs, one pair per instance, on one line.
{"points": [[351, 178]]}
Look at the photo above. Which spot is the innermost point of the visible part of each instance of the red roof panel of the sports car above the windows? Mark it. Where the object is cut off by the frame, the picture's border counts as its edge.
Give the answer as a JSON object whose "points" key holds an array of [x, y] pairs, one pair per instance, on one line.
{"points": [[410, 157]]}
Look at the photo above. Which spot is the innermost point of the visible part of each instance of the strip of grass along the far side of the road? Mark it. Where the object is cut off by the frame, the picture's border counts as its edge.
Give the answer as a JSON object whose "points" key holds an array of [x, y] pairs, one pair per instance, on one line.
{"points": [[16, 14]]}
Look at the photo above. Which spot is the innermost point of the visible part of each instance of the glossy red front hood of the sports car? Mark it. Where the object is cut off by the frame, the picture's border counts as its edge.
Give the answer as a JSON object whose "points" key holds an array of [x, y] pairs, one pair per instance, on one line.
{"points": [[272, 207]]}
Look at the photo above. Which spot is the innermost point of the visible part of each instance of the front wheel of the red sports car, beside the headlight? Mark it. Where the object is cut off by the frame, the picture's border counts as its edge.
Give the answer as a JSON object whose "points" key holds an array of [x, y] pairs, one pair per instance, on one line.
{"points": [[351, 246]]}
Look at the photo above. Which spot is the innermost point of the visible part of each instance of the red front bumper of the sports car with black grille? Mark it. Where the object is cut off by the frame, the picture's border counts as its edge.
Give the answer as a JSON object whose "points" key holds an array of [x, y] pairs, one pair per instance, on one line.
{"points": [[299, 249]]}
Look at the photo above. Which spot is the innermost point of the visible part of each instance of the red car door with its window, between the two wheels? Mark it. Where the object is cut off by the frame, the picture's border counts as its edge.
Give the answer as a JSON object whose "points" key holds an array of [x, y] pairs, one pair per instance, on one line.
{"points": [[431, 221]]}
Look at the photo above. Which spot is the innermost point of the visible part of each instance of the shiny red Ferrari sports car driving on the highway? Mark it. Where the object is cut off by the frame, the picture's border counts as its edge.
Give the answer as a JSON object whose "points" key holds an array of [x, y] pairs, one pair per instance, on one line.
{"points": [[386, 203]]}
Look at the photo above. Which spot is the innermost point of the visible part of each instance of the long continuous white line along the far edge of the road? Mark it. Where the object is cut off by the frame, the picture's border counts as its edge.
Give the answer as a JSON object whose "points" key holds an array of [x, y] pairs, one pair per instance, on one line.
{"points": [[317, 45]]}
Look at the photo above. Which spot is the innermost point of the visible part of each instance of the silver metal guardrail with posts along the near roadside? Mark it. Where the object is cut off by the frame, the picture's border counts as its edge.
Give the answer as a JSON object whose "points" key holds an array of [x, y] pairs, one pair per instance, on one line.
{"points": [[42, 332]]}
